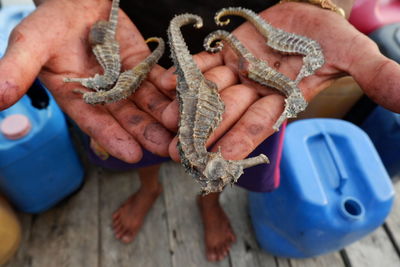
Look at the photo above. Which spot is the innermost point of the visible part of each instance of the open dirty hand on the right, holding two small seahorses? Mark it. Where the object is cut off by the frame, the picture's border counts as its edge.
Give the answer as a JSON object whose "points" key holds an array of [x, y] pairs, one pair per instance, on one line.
{"points": [[251, 110]]}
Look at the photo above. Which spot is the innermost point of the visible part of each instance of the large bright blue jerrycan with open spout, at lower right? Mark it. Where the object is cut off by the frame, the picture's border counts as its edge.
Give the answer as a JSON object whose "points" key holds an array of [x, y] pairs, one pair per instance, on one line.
{"points": [[334, 190]]}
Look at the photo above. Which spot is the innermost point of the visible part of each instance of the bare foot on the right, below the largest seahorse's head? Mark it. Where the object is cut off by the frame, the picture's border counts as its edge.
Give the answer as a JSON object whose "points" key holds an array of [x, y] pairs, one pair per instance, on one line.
{"points": [[218, 233]]}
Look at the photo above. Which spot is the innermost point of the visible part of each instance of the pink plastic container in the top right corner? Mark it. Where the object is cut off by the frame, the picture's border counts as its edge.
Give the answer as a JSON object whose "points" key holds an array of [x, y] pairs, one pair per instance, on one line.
{"points": [[369, 15]]}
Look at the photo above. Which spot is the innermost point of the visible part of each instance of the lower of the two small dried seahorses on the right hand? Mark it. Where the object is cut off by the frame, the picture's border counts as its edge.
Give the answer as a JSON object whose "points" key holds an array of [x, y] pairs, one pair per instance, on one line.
{"points": [[259, 71]]}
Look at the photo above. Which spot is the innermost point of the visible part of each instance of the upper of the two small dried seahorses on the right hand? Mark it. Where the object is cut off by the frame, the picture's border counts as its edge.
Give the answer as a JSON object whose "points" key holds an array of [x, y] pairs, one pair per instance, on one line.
{"points": [[279, 40]]}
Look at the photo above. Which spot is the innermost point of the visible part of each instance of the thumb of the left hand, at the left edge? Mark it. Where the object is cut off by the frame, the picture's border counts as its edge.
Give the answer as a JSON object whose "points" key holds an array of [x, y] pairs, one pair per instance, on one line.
{"points": [[19, 67]]}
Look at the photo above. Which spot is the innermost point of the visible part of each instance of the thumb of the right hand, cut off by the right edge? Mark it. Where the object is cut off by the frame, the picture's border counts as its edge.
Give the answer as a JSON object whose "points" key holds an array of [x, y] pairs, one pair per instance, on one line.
{"points": [[378, 76]]}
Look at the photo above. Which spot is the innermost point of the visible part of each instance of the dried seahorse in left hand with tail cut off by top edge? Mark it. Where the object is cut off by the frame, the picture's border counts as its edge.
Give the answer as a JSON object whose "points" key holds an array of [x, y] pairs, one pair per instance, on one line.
{"points": [[106, 49]]}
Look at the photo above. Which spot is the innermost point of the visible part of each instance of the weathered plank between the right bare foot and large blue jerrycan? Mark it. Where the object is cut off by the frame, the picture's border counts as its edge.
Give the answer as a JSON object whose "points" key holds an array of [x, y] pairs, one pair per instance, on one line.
{"points": [[246, 251]]}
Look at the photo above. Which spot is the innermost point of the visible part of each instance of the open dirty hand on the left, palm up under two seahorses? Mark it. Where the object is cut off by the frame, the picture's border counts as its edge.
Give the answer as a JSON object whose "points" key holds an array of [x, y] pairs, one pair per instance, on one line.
{"points": [[53, 43]]}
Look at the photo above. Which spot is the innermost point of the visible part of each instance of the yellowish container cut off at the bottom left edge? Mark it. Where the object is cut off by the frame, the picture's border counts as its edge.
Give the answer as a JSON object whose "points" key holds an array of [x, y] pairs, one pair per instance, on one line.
{"points": [[10, 231]]}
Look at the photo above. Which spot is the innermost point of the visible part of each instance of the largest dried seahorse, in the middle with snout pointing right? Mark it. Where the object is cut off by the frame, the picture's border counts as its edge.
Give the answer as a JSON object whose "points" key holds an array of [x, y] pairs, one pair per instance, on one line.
{"points": [[201, 110]]}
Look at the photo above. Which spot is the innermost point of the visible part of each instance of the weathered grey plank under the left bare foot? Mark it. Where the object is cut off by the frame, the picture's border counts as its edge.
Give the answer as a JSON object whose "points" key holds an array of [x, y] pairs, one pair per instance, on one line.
{"points": [[150, 247]]}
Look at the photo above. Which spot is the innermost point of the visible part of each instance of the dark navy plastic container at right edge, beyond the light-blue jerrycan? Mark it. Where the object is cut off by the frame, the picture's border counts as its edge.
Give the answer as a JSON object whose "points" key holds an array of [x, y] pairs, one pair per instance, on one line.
{"points": [[383, 127]]}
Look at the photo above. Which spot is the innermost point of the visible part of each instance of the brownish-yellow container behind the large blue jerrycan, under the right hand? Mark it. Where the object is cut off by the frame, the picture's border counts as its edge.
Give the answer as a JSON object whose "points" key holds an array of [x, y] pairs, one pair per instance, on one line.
{"points": [[335, 101]]}
